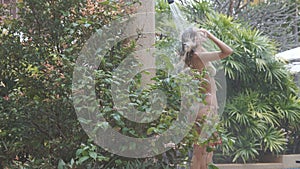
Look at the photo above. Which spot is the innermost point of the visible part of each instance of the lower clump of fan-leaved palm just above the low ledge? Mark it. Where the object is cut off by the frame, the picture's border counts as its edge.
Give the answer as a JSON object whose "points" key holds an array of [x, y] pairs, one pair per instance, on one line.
{"points": [[250, 119]]}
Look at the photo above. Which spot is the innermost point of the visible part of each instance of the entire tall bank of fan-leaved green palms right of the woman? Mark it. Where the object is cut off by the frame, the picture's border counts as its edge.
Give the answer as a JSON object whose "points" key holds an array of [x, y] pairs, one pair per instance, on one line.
{"points": [[258, 84]]}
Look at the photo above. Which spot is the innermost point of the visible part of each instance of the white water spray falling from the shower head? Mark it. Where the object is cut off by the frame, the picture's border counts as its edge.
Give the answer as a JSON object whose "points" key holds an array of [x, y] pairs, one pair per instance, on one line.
{"points": [[180, 22]]}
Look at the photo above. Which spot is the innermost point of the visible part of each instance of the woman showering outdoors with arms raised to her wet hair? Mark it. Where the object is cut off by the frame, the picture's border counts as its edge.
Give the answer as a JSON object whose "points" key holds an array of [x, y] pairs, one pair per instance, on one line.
{"points": [[196, 57]]}
